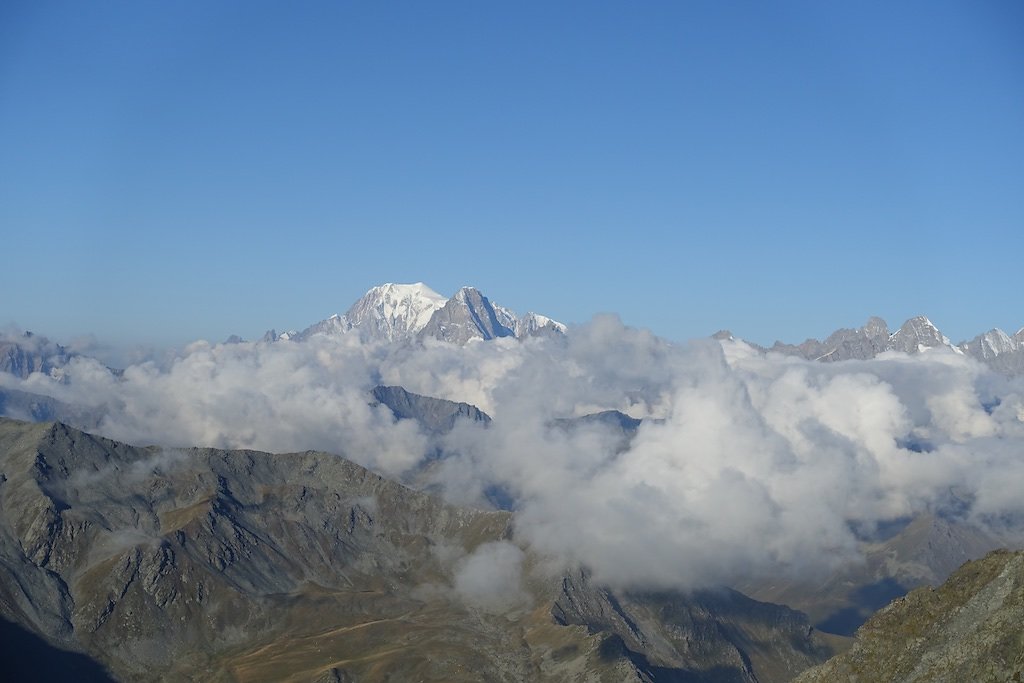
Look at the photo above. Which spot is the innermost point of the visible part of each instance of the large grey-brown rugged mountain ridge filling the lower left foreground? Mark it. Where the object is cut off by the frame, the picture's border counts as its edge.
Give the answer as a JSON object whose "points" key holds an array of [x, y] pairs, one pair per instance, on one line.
{"points": [[206, 565]]}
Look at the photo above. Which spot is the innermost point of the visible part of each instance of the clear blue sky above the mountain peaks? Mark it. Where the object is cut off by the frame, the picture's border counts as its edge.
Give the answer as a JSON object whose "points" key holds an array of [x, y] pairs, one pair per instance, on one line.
{"points": [[181, 170]]}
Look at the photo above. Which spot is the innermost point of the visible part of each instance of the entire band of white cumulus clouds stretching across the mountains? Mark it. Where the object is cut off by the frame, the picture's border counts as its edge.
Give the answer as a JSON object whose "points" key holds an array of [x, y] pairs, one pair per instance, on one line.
{"points": [[746, 464]]}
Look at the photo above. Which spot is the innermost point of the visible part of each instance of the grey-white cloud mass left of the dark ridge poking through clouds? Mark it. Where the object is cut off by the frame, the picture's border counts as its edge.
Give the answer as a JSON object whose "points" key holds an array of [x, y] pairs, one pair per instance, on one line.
{"points": [[277, 398]]}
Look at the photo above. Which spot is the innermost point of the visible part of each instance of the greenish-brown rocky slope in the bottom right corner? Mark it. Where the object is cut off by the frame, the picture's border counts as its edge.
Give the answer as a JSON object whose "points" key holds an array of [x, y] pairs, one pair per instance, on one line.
{"points": [[969, 629]]}
